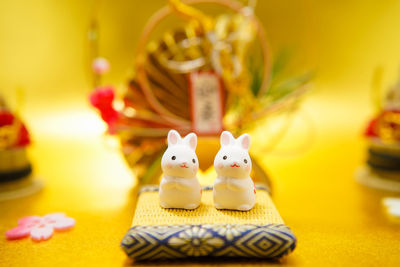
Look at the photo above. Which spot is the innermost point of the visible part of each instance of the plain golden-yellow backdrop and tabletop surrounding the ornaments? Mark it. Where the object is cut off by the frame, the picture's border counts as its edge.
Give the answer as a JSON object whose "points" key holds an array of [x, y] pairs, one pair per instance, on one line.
{"points": [[43, 50]]}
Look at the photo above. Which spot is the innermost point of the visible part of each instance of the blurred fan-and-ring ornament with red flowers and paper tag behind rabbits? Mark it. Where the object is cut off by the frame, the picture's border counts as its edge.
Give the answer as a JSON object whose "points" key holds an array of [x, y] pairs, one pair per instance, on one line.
{"points": [[209, 73]]}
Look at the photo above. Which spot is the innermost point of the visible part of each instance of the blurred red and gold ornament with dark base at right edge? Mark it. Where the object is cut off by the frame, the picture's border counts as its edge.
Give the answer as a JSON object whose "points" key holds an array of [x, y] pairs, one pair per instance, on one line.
{"points": [[383, 133]]}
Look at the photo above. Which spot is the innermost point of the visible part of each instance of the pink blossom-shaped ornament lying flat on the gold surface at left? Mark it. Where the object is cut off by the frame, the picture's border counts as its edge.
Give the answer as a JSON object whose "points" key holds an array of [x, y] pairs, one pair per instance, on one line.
{"points": [[40, 228]]}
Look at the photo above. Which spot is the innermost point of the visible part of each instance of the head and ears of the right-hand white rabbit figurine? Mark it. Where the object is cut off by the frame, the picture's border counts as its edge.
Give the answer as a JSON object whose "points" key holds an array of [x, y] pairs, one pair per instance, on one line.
{"points": [[233, 159]]}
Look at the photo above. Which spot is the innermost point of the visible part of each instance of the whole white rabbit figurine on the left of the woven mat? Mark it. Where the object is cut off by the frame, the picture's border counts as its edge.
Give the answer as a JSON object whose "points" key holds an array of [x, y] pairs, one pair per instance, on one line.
{"points": [[179, 187]]}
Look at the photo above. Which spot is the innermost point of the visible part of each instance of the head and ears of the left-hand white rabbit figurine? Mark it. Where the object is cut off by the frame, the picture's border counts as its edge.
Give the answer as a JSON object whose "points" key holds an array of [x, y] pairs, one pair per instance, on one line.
{"points": [[180, 160]]}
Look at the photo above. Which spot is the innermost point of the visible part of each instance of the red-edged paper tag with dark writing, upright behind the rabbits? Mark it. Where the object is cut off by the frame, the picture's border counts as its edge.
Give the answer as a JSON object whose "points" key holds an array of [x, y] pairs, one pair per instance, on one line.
{"points": [[206, 99]]}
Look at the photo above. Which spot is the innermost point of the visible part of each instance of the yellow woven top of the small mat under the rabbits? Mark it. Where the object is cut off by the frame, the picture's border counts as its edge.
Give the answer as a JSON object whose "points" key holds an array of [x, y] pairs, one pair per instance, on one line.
{"points": [[149, 212]]}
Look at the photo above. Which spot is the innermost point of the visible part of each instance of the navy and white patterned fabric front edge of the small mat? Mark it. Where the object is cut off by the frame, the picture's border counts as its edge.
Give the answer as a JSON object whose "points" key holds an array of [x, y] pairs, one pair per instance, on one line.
{"points": [[224, 240]]}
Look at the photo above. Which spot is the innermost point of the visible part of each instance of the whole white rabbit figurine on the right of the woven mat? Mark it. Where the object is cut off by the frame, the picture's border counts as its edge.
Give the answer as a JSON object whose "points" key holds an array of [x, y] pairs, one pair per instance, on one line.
{"points": [[233, 188]]}
